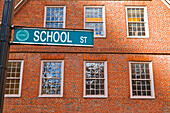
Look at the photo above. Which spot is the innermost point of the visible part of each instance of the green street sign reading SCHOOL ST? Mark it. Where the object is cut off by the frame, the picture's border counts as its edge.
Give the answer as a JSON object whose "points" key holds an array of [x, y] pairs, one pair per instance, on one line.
{"points": [[44, 36]]}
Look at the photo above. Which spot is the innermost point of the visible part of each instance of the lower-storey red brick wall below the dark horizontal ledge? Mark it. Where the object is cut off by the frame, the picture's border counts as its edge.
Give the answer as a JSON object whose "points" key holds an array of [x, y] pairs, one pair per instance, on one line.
{"points": [[118, 85]]}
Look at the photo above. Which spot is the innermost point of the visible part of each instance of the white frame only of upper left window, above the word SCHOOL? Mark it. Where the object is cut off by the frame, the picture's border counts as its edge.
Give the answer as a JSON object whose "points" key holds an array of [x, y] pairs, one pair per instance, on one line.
{"points": [[64, 14]]}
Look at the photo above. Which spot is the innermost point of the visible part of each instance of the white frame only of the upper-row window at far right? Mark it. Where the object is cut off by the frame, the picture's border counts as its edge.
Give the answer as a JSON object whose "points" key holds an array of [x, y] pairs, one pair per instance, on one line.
{"points": [[145, 22]]}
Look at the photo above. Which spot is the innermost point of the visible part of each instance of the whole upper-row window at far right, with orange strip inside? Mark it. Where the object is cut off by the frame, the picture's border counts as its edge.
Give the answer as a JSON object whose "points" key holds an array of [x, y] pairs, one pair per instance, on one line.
{"points": [[137, 22]]}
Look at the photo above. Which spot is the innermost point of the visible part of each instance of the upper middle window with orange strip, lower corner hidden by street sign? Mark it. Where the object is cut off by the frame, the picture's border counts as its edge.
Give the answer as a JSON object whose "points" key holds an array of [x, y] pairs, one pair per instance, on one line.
{"points": [[94, 18]]}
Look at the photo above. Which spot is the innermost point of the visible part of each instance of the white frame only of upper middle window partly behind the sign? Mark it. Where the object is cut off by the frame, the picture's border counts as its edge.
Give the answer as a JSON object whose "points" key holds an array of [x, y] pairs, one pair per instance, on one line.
{"points": [[104, 23]]}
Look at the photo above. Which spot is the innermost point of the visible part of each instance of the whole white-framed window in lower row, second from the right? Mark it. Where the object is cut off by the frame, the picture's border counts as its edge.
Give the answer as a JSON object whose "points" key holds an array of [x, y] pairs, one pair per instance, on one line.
{"points": [[95, 79]]}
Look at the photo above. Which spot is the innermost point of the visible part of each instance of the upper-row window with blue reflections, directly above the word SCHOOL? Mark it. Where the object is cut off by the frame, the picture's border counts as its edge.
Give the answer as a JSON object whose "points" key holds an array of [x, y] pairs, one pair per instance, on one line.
{"points": [[55, 16]]}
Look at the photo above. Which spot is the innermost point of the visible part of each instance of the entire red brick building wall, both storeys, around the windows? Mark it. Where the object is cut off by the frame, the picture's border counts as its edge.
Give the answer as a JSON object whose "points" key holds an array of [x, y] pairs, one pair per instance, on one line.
{"points": [[116, 49]]}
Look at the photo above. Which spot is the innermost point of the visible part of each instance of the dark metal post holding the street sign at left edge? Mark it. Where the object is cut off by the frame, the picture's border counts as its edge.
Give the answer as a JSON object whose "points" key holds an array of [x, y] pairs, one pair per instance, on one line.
{"points": [[5, 36]]}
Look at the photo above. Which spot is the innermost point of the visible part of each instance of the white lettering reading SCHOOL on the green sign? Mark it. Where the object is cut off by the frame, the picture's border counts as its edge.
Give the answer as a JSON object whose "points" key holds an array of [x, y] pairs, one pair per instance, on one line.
{"points": [[51, 36]]}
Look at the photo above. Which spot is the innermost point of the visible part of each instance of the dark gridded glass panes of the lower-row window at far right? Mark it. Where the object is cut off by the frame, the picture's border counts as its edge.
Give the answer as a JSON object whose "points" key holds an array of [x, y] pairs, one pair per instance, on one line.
{"points": [[141, 83]]}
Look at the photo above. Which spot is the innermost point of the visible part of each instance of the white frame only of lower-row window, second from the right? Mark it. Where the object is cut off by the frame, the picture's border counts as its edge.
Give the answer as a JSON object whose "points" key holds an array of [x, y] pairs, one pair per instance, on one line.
{"points": [[105, 84]]}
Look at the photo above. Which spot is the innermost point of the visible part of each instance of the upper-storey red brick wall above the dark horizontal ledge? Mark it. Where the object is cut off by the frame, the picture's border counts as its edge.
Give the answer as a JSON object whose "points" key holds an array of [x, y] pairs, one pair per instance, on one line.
{"points": [[116, 40]]}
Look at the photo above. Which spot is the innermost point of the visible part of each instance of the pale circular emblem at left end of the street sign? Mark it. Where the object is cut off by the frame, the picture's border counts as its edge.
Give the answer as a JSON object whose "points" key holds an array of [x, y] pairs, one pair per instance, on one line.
{"points": [[22, 35]]}
